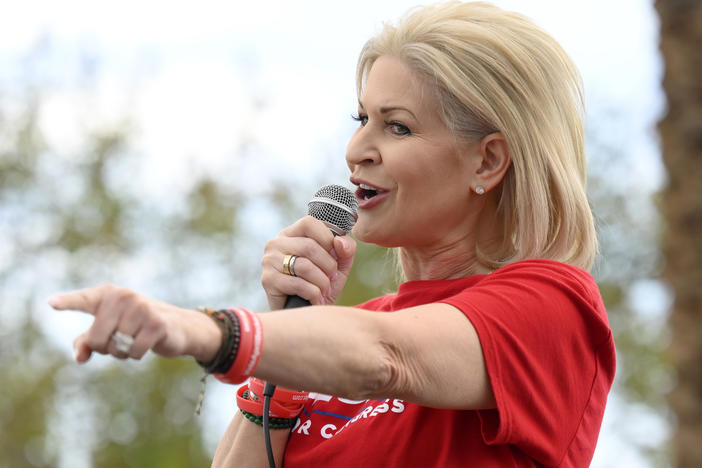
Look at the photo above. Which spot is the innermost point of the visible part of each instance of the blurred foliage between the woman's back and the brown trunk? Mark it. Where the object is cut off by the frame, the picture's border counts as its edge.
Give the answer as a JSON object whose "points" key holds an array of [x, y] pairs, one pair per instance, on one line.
{"points": [[628, 274]]}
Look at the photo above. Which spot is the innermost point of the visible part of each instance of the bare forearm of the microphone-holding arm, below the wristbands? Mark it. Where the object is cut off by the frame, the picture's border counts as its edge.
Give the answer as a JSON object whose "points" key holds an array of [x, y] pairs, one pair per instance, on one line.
{"points": [[243, 445]]}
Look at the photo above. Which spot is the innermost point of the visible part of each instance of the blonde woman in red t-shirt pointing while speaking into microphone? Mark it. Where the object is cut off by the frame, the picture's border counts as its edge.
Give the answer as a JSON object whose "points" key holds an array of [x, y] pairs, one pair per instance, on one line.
{"points": [[469, 158]]}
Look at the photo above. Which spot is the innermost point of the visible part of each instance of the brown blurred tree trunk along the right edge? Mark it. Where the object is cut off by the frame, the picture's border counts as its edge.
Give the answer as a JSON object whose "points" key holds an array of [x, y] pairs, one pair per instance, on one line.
{"points": [[681, 132]]}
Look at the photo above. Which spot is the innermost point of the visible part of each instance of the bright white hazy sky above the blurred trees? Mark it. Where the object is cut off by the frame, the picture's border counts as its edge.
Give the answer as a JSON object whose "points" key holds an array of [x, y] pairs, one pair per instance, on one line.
{"points": [[195, 80]]}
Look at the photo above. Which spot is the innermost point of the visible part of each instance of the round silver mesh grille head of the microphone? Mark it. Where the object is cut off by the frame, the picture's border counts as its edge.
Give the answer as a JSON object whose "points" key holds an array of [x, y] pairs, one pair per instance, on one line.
{"points": [[336, 206]]}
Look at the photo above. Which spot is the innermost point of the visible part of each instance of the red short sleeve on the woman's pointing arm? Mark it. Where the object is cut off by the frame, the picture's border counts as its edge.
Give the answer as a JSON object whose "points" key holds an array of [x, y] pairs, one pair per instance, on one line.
{"points": [[549, 355]]}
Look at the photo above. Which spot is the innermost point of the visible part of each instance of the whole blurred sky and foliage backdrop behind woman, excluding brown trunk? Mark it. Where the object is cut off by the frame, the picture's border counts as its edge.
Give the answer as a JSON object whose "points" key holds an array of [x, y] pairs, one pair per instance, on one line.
{"points": [[157, 145]]}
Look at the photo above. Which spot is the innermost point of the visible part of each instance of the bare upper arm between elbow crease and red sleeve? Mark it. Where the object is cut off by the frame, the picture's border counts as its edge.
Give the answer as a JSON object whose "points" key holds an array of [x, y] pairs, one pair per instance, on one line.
{"points": [[435, 358]]}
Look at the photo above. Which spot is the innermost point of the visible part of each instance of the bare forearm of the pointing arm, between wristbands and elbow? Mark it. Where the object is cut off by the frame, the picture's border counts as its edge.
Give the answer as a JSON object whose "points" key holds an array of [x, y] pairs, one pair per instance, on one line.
{"points": [[327, 349]]}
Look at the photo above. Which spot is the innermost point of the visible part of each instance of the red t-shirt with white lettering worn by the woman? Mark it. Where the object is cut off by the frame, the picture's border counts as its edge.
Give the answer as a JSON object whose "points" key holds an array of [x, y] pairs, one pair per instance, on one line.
{"points": [[550, 358]]}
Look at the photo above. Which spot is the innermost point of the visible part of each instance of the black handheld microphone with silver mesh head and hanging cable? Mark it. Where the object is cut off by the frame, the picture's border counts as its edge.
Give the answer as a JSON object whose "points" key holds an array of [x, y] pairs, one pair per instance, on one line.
{"points": [[337, 208]]}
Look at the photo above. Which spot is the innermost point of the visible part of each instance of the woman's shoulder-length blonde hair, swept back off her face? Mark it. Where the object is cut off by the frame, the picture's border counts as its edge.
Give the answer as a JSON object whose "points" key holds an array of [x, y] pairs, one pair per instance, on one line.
{"points": [[494, 70]]}
